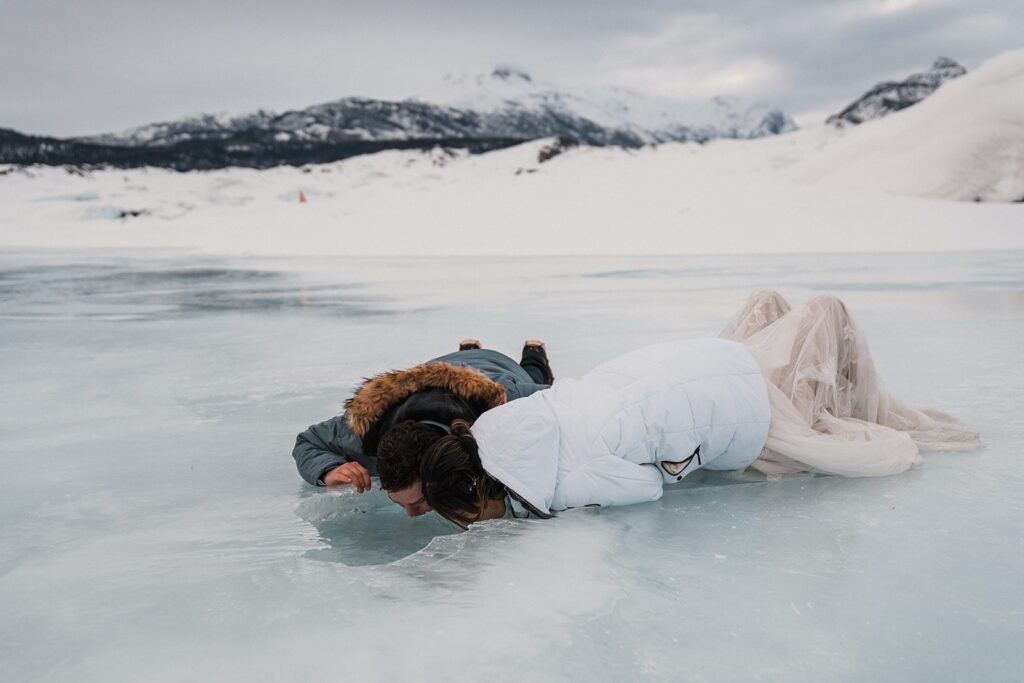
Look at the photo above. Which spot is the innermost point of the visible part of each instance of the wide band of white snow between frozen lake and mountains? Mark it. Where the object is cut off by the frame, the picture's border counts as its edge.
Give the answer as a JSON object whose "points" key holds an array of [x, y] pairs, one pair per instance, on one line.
{"points": [[907, 183]]}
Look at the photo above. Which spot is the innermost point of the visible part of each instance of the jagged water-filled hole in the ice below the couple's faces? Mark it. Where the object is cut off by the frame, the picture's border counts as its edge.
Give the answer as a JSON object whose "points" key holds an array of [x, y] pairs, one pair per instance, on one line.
{"points": [[367, 529]]}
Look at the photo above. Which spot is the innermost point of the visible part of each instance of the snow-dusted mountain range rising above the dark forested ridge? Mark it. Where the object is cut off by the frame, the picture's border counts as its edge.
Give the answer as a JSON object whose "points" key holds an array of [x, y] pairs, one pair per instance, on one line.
{"points": [[504, 105]]}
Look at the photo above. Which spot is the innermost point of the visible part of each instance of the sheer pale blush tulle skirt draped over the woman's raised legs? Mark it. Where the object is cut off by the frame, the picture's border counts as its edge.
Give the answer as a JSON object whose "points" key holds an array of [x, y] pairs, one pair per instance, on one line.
{"points": [[831, 411]]}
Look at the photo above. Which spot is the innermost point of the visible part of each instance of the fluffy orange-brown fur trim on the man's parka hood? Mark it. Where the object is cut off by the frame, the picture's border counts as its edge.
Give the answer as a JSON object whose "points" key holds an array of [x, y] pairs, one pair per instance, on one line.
{"points": [[373, 400]]}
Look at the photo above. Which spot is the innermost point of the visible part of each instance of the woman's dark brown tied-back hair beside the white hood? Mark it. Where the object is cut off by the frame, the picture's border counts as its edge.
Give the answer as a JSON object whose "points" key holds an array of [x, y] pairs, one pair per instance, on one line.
{"points": [[454, 481]]}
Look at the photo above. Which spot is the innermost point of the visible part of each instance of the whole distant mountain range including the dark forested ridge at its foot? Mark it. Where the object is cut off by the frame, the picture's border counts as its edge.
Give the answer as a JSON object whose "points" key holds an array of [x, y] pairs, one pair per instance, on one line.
{"points": [[479, 114]]}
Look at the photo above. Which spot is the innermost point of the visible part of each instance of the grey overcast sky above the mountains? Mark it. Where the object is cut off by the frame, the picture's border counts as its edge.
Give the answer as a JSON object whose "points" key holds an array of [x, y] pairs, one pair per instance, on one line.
{"points": [[78, 68]]}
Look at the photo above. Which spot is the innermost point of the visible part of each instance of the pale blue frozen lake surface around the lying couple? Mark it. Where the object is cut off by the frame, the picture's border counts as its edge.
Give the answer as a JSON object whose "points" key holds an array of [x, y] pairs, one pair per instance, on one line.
{"points": [[155, 527]]}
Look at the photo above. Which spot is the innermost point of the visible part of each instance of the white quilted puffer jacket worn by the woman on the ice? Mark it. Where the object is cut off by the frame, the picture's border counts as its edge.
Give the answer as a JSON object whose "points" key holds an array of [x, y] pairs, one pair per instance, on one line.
{"points": [[615, 437]]}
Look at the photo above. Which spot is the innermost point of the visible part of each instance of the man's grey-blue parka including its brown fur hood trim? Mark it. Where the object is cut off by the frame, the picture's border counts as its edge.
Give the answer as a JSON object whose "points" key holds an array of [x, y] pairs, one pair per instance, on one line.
{"points": [[330, 444]]}
